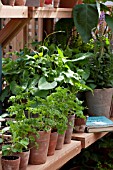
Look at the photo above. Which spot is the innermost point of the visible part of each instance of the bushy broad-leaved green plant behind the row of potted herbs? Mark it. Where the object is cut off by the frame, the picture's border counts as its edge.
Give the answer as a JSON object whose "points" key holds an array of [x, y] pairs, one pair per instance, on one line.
{"points": [[38, 72]]}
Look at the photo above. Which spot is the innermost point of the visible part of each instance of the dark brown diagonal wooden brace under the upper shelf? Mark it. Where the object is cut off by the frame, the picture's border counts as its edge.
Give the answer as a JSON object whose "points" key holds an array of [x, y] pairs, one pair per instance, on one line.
{"points": [[12, 28]]}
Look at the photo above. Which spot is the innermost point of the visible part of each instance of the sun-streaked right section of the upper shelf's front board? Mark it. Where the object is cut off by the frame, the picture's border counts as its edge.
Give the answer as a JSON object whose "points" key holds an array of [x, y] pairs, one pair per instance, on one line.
{"points": [[45, 12]]}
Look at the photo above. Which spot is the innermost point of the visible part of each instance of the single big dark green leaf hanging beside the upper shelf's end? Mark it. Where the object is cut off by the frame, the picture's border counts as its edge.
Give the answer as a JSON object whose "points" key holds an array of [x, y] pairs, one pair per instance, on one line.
{"points": [[85, 19]]}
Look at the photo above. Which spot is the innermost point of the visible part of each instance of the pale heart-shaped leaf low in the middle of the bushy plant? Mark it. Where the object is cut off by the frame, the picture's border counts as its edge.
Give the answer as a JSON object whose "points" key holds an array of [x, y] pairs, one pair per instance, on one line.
{"points": [[44, 85]]}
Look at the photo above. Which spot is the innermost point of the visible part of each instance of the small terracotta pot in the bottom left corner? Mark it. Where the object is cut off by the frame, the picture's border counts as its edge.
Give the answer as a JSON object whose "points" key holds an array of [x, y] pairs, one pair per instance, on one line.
{"points": [[10, 162]]}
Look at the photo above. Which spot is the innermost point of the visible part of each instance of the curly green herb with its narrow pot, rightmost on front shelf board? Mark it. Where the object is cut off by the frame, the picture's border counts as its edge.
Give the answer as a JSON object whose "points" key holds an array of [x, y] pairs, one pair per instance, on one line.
{"points": [[64, 101]]}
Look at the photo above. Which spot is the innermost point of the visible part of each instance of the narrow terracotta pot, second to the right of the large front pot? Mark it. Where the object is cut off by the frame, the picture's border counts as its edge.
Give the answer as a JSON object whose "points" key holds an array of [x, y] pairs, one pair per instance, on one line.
{"points": [[60, 141]]}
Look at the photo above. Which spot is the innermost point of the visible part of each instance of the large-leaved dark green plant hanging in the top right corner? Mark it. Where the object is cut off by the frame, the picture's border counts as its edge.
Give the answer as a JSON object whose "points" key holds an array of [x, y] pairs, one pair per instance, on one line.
{"points": [[86, 17]]}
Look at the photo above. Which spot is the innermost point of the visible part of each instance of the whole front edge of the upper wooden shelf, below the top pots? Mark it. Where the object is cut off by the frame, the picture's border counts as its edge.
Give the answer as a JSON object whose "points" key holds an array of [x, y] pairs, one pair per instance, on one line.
{"points": [[7, 11]]}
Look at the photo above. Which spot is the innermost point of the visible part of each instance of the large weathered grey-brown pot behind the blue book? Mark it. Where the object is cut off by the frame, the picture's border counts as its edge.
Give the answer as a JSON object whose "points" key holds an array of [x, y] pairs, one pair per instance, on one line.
{"points": [[99, 102]]}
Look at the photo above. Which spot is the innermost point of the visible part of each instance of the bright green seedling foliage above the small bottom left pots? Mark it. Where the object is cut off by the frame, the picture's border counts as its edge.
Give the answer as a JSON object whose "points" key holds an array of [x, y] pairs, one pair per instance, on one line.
{"points": [[19, 140]]}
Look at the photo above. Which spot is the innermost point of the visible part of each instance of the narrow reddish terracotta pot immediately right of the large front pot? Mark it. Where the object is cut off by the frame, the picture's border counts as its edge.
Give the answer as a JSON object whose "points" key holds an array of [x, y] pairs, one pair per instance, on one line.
{"points": [[52, 143]]}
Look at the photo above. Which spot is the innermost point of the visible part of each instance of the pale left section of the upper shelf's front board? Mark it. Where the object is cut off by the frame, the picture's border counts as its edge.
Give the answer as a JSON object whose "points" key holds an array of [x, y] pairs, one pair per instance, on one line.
{"points": [[13, 11]]}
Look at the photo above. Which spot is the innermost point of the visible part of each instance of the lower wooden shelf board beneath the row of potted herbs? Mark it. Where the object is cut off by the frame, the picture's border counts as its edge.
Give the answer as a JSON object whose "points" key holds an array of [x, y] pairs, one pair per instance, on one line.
{"points": [[60, 157]]}
